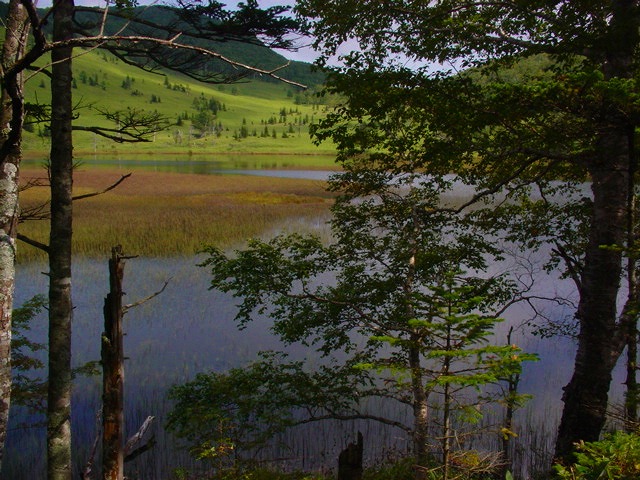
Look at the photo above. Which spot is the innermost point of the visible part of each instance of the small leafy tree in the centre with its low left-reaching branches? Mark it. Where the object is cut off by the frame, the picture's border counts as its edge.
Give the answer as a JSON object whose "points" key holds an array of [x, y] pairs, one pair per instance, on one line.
{"points": [[396, 308]]}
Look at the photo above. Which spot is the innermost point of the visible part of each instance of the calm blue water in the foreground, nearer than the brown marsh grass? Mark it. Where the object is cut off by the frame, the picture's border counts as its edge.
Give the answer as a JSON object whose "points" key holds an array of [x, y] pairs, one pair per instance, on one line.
{"points": [[189, 329]]}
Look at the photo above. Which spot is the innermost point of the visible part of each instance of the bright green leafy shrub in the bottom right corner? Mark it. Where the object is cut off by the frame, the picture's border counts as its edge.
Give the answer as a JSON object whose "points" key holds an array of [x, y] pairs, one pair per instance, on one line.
{"points": [[616, 456]]}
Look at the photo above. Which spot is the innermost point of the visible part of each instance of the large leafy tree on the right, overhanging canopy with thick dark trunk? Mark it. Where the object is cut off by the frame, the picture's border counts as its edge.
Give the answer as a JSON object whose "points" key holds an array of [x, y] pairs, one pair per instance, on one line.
{"points": [[427, 78]]}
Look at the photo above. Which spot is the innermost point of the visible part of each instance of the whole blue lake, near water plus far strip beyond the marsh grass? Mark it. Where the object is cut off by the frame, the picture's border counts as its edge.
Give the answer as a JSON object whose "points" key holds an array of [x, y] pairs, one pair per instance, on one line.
{"points": [[189, 329]]}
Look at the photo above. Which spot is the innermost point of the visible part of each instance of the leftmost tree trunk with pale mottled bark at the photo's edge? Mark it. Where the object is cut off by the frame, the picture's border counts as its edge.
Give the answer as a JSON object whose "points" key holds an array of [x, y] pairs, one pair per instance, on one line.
{"points": [[11, 117]]}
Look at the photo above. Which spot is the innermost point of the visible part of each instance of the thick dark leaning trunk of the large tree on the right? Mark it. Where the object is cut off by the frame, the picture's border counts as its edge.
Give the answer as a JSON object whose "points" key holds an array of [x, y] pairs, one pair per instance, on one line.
{"points": [[601, 339]]}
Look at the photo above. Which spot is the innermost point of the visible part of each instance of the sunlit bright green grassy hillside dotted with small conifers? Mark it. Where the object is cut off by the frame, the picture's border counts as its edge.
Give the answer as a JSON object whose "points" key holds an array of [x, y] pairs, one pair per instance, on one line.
{"points": [[250, 117]]}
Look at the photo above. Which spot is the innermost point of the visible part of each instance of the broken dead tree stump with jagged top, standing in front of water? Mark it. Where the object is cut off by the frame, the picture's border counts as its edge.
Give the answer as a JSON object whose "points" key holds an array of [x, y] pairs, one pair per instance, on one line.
{"points": [[113, 374]]}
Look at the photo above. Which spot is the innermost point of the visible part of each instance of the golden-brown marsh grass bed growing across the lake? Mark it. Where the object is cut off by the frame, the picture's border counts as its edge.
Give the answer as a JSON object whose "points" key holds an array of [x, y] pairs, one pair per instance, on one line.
{"points": [[165, 214]]}
